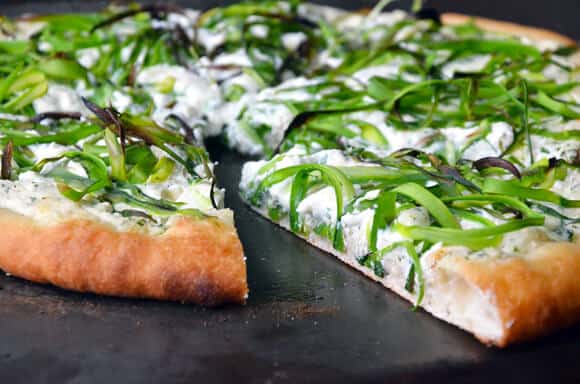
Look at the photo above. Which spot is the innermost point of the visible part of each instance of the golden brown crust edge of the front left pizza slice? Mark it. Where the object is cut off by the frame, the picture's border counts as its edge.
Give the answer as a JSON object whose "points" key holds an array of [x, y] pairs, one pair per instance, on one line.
{"points": [[198, 261]]}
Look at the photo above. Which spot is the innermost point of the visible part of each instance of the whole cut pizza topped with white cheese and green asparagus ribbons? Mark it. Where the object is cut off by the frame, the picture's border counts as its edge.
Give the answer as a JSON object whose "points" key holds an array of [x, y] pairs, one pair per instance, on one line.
{"points": [[437, 154]]}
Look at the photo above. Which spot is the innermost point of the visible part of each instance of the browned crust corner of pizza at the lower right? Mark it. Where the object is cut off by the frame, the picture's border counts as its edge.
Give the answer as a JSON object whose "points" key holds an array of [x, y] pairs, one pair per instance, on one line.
{"points": [[534, 294]]}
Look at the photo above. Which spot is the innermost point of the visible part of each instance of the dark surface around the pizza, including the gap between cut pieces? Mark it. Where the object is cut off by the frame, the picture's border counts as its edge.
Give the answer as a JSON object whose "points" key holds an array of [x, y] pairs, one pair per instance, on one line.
{"points": [[309, 318]]}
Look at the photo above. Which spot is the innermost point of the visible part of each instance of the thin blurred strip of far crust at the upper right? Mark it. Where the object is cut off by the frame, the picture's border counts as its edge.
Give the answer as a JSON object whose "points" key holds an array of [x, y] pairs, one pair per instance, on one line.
{"points": [[538, 34]]}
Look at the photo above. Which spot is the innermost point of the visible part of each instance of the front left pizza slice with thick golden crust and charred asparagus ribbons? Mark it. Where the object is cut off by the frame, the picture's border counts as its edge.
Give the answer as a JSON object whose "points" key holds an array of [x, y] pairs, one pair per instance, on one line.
{"points": [[115, 204]]}
